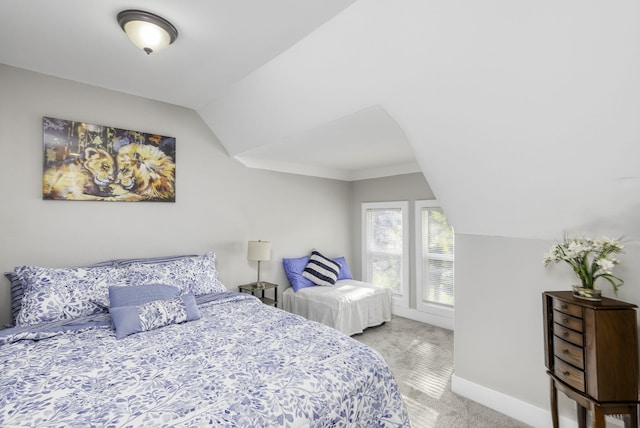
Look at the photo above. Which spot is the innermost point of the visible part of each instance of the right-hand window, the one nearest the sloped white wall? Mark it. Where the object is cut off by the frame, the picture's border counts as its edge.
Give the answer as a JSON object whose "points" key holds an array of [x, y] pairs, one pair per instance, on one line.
{"points": [[435, 258]]}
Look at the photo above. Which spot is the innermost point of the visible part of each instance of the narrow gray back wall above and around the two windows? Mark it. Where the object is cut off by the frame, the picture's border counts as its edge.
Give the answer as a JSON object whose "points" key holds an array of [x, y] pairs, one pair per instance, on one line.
{"points": [[406, 187]]}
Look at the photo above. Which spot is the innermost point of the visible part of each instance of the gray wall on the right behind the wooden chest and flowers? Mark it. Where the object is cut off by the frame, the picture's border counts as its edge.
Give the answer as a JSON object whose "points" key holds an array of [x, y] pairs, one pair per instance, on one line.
{"points": [[498, 340]]}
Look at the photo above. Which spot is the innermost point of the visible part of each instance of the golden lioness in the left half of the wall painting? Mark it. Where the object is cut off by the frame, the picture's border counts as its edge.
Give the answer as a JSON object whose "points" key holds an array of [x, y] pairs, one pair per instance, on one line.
{"points": [[80, 179]]}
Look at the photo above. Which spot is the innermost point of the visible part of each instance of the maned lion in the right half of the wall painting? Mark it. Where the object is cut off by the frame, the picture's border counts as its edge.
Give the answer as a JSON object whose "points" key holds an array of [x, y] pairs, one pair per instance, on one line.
{"points": [[145, 172]]}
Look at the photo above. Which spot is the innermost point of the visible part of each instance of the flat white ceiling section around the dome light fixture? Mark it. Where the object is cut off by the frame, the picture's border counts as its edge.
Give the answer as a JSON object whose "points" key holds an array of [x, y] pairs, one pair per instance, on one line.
{"points": [[219, 42]]}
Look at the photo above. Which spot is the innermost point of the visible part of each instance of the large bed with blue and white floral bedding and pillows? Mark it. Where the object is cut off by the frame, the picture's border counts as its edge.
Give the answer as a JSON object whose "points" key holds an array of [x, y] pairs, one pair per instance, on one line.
{"points": [[163, 343]]}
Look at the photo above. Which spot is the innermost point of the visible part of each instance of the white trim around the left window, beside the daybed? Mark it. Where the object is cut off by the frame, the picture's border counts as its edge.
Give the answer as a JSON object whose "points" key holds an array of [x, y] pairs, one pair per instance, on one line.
{"points": [[401, 301]]}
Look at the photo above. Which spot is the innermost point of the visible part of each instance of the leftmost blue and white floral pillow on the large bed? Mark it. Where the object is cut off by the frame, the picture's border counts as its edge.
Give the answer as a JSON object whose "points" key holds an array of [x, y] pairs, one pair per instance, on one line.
{"points": [[52, 294]]}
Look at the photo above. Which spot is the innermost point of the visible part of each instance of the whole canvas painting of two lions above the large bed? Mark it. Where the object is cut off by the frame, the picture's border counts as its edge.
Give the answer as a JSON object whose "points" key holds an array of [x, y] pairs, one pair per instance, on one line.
{"points": [[86, 162]]}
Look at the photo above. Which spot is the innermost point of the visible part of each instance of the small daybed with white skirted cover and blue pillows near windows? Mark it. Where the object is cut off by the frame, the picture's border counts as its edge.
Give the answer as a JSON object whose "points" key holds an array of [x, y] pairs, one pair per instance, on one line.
{"points": [[345, 304]]}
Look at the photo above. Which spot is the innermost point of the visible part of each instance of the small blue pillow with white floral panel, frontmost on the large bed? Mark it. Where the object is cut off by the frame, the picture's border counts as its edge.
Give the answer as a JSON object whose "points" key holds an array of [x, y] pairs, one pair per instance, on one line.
{"points": [[154, 314]]}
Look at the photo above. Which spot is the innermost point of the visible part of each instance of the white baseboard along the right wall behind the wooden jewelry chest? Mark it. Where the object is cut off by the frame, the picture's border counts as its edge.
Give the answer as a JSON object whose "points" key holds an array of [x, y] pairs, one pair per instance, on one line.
{"points": [[517, 409]]}
